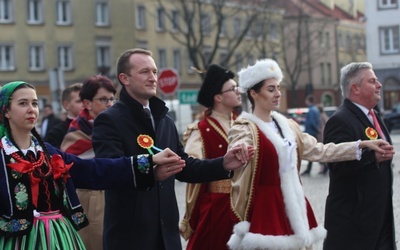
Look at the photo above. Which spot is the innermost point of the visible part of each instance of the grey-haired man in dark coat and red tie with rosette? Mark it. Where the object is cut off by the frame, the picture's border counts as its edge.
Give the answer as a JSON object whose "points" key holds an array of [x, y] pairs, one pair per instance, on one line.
{"points": [[359, 207]]}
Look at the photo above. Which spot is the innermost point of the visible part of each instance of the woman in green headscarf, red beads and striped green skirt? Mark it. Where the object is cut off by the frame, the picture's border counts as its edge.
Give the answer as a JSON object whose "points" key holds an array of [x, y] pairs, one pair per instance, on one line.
{"points": [[39, 208]]}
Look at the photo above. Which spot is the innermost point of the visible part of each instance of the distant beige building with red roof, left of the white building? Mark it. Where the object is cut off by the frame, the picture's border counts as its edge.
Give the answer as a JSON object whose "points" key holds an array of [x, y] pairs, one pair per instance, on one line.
{"points": [[330, 34]]}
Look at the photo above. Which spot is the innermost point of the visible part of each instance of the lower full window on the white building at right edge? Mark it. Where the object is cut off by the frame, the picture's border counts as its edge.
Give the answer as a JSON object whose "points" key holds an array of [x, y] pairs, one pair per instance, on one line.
{"points": [[389, 40]]}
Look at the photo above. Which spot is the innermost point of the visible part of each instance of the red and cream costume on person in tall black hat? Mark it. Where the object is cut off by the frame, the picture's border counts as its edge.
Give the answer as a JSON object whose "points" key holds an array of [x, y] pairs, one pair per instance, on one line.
{"points": [[207, 222]]}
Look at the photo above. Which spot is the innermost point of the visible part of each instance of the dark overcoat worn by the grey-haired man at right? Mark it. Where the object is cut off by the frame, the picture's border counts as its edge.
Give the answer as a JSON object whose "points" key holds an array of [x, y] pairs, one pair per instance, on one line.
{"points": [[360, 192]]}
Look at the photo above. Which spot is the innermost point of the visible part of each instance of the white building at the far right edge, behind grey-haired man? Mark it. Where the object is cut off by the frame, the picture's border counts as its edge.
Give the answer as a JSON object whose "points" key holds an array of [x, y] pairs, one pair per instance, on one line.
{"points": [[383, 47]]}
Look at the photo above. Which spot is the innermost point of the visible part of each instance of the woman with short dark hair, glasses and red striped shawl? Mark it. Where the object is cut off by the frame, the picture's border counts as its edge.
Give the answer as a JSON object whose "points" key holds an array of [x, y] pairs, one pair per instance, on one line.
{"points": [[97, 94]]}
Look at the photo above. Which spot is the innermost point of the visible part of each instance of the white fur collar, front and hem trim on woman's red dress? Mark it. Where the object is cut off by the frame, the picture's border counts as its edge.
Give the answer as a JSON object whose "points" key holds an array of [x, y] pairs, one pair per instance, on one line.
{"points": [[293, 197]]}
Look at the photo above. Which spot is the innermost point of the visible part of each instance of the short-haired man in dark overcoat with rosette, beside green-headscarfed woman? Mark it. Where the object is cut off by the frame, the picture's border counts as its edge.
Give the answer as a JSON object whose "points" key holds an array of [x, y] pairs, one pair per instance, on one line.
{"points": [[148, 219]]}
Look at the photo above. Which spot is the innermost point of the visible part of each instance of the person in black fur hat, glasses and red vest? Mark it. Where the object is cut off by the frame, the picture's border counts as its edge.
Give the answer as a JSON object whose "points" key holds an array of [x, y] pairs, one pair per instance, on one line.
{"points": [[207, 223]]}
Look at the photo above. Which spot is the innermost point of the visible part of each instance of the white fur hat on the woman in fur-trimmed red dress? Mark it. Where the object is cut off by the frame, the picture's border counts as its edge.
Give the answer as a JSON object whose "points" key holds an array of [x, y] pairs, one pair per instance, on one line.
{"points": [[261, 70]]}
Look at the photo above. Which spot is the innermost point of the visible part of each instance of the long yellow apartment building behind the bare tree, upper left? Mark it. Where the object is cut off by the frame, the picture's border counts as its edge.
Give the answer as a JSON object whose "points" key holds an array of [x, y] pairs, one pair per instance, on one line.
{"points": [[53, 43]]}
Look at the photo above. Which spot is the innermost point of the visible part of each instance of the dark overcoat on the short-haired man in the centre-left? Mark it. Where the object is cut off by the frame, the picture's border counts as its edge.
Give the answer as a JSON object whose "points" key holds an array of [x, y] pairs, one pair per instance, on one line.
{"points": [[136, 218]]}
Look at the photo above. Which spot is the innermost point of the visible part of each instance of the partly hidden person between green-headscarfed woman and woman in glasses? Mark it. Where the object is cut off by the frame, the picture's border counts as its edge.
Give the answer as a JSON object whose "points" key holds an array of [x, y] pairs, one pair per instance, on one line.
{"points": [[72, 104]]}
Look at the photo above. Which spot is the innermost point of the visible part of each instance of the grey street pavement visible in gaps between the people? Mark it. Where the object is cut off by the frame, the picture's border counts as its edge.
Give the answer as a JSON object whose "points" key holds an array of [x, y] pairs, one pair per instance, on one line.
{"points": [[316, 190]]}
